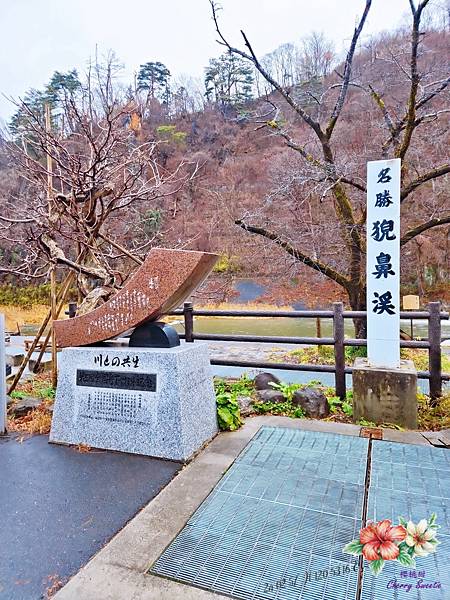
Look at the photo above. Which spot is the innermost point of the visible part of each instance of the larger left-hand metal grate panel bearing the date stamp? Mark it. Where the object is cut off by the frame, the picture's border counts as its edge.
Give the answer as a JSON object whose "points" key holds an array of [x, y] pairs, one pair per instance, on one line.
{"points": [[275, 525]]}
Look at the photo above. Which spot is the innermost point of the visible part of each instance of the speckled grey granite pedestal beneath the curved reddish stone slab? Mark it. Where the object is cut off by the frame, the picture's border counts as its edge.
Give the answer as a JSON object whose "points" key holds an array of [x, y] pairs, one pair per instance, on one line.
{"points": [[154, 401]]}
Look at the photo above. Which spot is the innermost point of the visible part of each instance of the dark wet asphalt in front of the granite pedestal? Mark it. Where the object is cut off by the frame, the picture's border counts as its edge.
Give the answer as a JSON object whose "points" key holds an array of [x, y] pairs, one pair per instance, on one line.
{"points": [[60, 506]]}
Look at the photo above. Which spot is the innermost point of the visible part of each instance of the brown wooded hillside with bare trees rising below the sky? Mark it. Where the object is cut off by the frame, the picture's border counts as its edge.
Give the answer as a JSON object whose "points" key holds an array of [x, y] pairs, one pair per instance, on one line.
{"points": [[231, 167]]}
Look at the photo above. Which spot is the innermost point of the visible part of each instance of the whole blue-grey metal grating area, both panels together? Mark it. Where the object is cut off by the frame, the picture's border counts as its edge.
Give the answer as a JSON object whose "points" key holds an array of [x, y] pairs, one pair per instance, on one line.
{"points": [[274, 526]]}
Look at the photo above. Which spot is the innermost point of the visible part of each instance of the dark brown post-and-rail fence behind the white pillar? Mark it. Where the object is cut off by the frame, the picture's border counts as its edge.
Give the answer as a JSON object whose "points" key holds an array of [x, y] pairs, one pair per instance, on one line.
{"points": [[434, 315]]}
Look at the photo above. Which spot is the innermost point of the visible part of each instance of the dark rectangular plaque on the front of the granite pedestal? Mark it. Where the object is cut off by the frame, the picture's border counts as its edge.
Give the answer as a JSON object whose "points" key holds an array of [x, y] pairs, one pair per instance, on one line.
{"points": [[141, 382]]}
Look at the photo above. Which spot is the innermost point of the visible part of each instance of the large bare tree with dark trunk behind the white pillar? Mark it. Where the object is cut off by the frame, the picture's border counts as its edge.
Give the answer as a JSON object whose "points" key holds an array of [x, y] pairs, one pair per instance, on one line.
{"points": [[322, 221]]}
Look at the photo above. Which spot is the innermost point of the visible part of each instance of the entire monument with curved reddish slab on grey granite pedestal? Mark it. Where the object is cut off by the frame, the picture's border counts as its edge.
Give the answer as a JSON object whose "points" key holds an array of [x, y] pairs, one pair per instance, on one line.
{"points": [[152, 395]]}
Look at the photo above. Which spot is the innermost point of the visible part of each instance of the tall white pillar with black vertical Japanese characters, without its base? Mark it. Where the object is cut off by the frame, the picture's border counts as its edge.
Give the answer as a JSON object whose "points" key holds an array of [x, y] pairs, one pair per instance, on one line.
{"points": [[383, 263]]}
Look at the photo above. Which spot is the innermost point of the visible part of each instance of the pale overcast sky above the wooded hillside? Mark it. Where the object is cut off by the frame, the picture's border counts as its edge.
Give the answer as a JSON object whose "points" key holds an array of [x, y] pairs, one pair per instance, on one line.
{"points": [[39, 37]]}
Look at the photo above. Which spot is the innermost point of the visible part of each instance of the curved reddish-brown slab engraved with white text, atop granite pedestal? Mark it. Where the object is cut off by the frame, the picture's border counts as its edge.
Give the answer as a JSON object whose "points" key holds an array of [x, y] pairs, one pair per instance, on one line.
{"points": [[164, 280]]}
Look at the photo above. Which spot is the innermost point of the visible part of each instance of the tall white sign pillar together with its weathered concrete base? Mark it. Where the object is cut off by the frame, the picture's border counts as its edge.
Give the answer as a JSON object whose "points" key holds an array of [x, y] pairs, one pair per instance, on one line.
{"points": [[384, 387]]}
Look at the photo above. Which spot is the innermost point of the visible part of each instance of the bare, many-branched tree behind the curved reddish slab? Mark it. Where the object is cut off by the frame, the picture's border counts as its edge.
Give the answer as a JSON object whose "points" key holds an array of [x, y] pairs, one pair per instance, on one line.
{"points": [[101, 176]]}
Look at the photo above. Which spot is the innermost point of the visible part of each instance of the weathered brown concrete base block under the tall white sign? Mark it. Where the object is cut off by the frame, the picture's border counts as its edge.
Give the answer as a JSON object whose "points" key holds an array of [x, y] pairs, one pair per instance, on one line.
{"points": [[385, 395]]}
